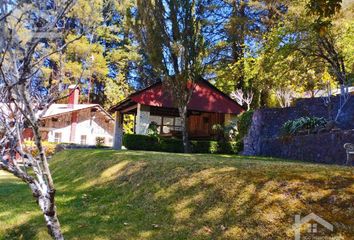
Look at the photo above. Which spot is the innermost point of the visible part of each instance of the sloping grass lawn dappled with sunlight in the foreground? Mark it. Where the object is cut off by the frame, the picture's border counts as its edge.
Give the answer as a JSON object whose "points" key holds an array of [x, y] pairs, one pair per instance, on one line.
{"points": [[105, 194]]}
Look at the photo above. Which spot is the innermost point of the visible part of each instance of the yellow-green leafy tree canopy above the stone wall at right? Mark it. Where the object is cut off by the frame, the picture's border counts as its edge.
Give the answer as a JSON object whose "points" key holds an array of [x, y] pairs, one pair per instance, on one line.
{"points": [[295, 61]]}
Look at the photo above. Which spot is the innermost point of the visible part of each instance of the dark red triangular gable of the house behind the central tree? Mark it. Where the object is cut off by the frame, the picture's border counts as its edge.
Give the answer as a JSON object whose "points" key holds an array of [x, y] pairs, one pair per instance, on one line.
{"points": [[206, 98]]}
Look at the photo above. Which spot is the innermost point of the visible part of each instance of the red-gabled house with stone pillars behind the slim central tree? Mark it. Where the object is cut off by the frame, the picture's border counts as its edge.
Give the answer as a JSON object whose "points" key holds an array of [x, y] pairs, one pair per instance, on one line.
{"points": [[208, 106]]}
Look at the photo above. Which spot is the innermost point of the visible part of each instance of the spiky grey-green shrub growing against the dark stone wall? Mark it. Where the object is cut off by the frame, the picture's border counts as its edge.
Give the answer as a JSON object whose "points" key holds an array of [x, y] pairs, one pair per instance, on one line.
{"points": [[292, 127]]}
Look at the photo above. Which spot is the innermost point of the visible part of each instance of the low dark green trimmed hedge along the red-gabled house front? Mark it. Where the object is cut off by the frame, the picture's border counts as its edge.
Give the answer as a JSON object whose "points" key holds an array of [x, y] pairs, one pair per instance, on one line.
{"points": [[151, 143]]}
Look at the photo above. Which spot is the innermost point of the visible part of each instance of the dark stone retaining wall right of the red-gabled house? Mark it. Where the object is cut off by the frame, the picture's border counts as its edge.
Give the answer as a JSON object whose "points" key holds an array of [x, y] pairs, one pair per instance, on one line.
{"points": [[264, 135]]}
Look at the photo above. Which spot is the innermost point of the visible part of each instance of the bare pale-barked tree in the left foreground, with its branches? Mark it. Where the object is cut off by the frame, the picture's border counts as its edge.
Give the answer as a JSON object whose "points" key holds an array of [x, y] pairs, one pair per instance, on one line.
{"points": [[27, 94]]}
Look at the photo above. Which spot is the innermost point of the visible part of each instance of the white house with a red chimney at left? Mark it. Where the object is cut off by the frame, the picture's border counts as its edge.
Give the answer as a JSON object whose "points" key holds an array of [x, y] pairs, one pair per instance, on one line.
{"points": [[77, 123]]}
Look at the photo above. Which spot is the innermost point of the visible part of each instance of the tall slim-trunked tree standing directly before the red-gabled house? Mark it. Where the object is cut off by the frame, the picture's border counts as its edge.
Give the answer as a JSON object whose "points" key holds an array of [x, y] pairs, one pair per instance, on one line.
{"points": [[171, 33]]}
